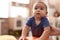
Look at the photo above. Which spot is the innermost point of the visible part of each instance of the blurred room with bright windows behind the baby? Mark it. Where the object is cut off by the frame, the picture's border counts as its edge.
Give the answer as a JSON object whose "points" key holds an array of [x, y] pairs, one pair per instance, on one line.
{"points": [[14, 13]]}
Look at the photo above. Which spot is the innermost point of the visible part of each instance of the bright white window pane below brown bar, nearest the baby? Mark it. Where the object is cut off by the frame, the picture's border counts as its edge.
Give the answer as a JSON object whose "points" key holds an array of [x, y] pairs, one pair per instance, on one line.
{"points": [[23, 11]]}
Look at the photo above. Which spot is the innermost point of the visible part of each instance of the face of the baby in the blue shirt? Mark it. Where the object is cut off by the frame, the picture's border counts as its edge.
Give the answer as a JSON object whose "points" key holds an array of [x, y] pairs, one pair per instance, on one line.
{"points": [[40, 10]]}
